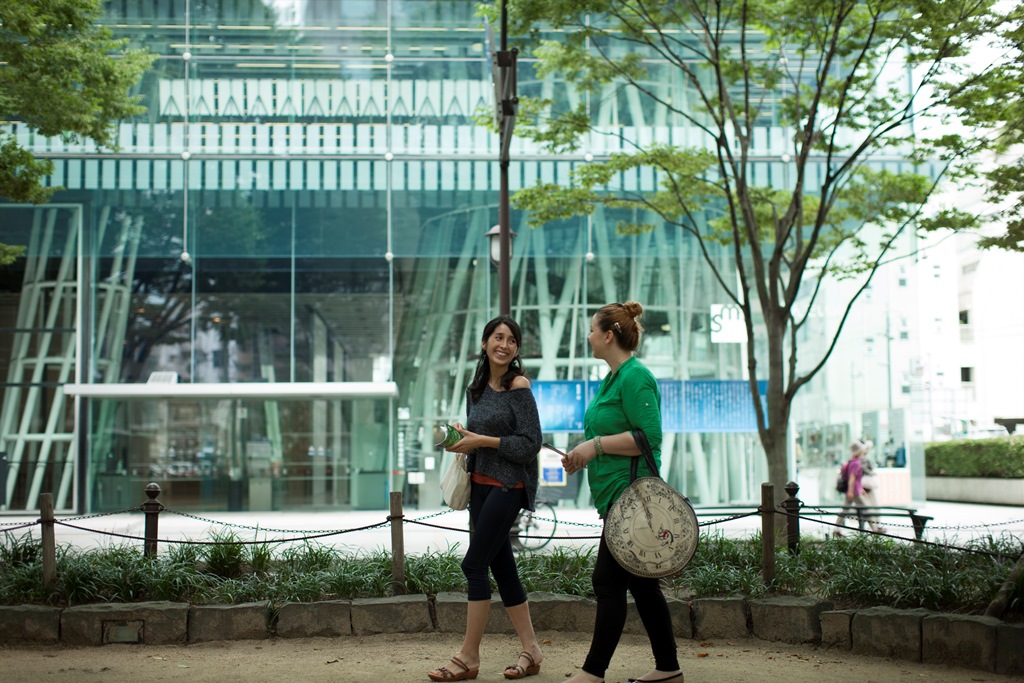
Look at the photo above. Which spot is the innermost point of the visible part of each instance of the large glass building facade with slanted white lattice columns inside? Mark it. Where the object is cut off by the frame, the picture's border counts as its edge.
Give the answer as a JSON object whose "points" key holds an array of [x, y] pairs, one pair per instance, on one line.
{"points": [[272, 293]]}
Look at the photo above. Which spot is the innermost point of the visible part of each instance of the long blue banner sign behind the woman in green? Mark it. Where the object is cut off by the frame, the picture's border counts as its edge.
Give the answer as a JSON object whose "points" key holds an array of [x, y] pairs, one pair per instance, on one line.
{"points": [[688, 407]]}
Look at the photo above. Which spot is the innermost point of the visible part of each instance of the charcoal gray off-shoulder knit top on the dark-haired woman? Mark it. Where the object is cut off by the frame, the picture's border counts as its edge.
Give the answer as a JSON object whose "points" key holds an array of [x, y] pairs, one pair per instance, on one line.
{"points": [[513, 417]]}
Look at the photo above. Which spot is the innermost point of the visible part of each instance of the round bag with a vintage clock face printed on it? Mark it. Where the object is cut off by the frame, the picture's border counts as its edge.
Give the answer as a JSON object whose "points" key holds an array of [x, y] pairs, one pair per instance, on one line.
{"points": [[652, 530]]}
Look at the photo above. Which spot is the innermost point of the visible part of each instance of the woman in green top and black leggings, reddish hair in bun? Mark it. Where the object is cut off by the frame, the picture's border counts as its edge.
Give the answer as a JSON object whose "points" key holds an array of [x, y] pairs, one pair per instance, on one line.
{"points": [[627, 400]]}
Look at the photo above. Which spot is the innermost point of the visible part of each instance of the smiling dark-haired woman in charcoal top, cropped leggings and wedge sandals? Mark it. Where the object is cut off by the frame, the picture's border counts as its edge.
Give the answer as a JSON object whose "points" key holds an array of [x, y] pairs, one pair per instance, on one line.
{"points": [[502, 437]]}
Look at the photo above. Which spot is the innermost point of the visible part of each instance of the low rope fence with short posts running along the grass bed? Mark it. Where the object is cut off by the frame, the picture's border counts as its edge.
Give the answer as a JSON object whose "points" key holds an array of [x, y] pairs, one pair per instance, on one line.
{"points": [[792, 511]]}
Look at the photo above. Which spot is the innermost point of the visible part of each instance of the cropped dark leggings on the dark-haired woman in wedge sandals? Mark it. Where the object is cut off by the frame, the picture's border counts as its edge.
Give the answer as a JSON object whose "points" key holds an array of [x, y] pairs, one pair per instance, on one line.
{"points": [[493, 510]]}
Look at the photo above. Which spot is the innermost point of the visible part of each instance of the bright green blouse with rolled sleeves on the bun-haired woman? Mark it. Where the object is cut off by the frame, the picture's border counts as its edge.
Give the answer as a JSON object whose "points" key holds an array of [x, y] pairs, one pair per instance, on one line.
{"points": [[627, 400]]}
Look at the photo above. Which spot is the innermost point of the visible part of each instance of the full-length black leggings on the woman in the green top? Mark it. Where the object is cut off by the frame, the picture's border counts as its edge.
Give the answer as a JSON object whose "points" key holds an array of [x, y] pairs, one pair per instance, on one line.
{"points": [[611, 584]]}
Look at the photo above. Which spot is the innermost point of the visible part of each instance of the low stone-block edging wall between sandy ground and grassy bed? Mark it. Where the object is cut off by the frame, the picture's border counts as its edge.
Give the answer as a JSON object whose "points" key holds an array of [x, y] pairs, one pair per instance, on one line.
{"points": [[916, 635]]}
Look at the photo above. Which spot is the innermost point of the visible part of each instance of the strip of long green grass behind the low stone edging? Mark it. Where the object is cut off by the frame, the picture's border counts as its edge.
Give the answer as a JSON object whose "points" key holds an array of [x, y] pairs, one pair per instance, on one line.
{"points": [[858, 572]]}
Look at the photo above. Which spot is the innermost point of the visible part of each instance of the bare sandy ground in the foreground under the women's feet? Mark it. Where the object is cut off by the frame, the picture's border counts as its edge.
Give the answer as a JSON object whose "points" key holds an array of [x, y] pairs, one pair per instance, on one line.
{"points": [[407, 658]]}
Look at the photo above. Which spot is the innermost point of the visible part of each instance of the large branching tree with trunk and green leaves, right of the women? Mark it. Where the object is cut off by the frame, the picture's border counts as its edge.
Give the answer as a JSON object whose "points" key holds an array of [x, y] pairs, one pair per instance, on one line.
{"points": [[873, 97]]}
